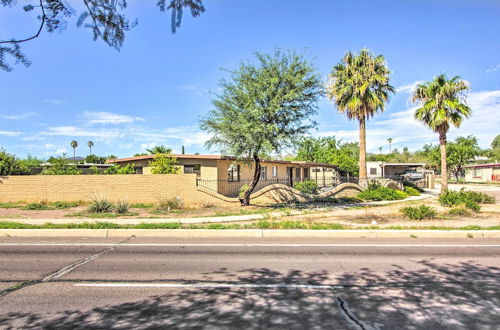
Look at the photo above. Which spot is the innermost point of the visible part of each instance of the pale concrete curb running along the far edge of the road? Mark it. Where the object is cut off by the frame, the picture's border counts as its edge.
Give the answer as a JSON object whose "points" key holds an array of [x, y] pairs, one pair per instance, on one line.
{"points": [[249, 233]]}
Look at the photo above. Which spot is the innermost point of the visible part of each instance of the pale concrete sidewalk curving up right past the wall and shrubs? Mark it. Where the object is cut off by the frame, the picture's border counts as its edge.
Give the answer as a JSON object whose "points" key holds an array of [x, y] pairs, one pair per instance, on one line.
{"points": [[200, 220]]}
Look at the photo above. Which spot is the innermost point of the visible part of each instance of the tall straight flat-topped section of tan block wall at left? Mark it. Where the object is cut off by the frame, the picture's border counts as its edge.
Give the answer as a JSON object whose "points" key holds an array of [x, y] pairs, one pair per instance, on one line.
{"points": [[132, 188]]}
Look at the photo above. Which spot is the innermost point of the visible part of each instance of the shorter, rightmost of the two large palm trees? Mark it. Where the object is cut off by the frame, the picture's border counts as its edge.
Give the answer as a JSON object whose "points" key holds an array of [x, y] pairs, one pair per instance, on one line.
{"points": [[442, 104]]}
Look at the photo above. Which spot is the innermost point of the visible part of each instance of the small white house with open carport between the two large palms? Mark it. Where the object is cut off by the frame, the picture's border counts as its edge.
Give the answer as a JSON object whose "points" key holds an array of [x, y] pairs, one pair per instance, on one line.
{"points": [[395, 170]]}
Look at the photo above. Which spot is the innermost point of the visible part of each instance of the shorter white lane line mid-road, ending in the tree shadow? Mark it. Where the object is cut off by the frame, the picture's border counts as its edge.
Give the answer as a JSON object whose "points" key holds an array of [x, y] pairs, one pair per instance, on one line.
{"points": [[207, 285]]}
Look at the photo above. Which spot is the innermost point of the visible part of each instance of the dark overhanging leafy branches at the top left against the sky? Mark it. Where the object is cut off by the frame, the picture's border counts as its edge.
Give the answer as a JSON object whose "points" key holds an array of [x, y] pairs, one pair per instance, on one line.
{"points": [[106, 19]]}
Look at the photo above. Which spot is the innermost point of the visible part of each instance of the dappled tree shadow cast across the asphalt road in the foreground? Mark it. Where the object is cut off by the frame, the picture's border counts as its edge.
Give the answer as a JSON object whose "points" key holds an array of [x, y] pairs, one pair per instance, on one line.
{"points": [[460, 296]]}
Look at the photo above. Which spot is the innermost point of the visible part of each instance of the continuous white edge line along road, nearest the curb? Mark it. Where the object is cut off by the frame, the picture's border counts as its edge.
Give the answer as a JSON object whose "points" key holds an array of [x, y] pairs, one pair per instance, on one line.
{"points": [[251, 245]]}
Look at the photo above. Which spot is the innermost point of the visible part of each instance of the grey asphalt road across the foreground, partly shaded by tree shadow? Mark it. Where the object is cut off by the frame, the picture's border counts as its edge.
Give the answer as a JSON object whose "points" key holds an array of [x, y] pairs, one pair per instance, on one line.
{"points": [[78, 283]]}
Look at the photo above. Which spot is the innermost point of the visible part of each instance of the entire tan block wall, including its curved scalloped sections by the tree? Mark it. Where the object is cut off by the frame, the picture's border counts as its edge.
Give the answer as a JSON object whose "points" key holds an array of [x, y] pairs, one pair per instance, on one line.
{"points": [[142, 189]]}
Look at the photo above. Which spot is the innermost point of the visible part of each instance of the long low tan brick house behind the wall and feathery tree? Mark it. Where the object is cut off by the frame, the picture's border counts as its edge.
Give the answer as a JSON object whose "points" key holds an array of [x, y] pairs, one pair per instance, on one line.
{"points": [[226, 175]]}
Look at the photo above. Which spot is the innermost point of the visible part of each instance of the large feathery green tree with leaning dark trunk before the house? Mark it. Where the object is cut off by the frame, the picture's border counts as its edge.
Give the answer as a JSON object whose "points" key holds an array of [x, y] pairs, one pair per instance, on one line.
{"points": [[263, 107]]}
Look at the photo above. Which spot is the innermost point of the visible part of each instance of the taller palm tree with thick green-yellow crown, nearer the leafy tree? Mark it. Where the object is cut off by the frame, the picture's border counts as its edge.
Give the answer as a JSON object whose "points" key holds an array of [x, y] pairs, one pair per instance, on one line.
{"points": [[359, 86]]}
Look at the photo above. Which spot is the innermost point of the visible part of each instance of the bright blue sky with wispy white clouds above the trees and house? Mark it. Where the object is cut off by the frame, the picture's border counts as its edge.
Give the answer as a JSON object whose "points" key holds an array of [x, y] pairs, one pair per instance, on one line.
{"points": [[155, 89]]}
